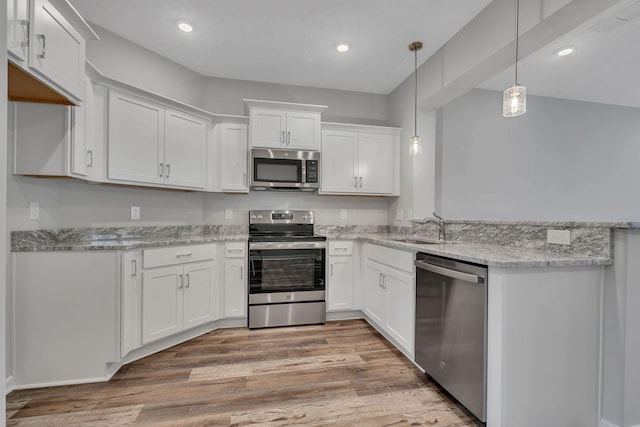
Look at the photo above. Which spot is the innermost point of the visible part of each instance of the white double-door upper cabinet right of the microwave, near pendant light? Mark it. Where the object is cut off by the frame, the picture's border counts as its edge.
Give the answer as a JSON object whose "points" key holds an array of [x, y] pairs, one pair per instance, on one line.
{"points": [[360, 160]]}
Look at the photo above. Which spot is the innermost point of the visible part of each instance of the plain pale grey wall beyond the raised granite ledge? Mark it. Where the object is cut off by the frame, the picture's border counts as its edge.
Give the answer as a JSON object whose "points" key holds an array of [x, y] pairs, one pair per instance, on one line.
{"points": [[562, 160]]}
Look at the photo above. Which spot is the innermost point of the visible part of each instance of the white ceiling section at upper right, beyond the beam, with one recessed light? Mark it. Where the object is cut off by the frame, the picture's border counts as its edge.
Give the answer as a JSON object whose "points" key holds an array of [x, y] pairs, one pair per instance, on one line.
{"points": [[605, 67]]}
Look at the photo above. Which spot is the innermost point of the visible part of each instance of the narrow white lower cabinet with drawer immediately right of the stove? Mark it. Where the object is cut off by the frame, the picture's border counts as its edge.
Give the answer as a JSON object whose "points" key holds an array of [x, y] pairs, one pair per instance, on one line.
{"points": [[340, 286]]}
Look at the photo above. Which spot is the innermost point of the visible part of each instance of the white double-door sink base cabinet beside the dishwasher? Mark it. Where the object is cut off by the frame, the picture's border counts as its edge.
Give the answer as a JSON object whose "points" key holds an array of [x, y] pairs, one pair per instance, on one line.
{"points": [[389, 288]]}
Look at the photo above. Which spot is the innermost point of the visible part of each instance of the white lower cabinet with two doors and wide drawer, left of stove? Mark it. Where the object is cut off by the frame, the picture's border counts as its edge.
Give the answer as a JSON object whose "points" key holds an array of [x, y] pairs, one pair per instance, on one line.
{"points": [[180, 296]]}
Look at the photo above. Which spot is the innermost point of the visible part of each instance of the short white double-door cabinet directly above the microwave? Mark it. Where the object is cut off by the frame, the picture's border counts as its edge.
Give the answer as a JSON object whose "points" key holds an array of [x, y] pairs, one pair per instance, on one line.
{"points": [[284, 125]]}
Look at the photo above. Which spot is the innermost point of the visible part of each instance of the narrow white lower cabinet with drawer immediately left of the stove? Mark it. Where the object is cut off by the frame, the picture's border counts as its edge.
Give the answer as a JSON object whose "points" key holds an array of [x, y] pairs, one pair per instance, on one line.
{"points": [[235, 279]]}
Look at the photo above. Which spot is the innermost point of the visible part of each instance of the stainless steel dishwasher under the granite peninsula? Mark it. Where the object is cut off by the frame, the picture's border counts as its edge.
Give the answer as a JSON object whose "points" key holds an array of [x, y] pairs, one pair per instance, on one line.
{"points": [[451, 327]]}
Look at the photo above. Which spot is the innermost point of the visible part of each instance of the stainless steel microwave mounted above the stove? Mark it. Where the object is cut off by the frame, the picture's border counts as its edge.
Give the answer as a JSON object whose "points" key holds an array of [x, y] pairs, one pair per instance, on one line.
{"points": [[285, 169]]}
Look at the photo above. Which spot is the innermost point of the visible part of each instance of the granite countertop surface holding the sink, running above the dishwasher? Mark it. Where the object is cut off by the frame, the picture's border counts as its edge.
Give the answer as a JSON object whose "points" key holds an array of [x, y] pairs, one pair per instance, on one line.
{"points": [[479, 253]]}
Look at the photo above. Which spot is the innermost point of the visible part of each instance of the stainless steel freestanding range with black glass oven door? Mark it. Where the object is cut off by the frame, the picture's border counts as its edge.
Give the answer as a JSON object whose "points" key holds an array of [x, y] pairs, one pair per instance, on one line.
{"points": [[286, 270]]}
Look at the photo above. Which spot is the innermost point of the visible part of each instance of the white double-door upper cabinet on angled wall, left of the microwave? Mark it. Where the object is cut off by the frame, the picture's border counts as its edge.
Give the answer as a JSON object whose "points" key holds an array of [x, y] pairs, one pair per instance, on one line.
{"points": [[150, 144]]}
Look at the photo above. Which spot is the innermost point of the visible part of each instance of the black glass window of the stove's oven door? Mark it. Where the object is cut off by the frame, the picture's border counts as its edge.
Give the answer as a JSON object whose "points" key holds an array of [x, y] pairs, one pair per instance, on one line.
{"points": [[286, 270]]}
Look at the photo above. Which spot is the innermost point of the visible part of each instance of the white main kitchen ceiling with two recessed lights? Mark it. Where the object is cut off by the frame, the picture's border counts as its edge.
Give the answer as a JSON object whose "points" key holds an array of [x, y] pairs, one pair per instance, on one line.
{"points": [[289, 41]]}
